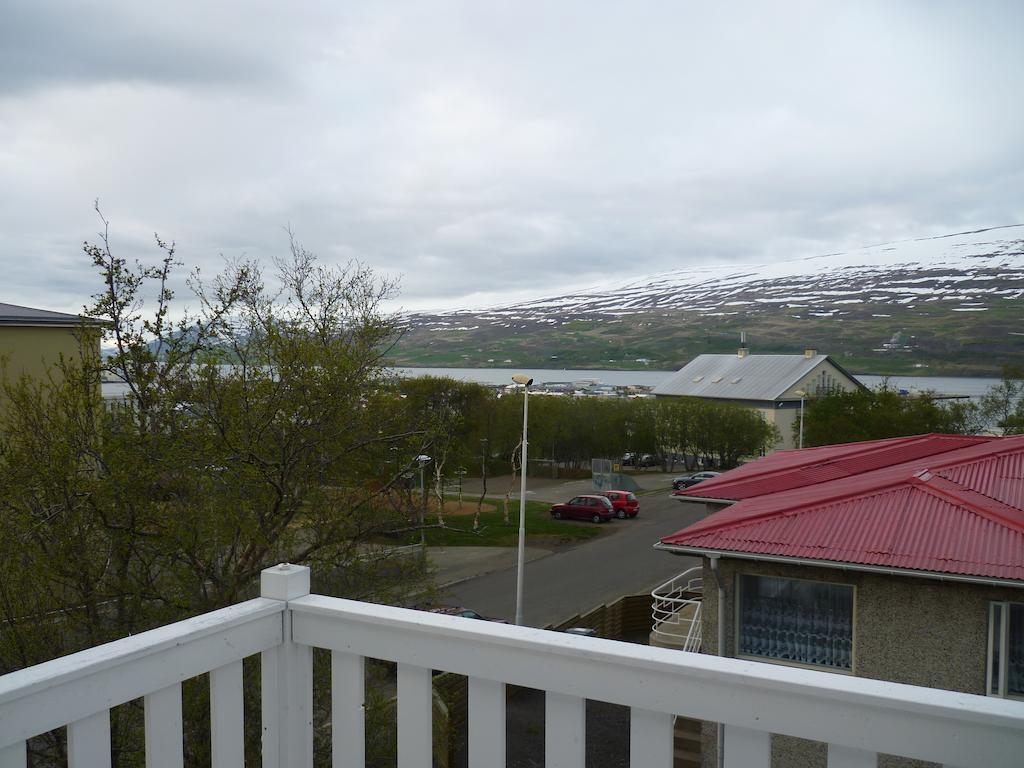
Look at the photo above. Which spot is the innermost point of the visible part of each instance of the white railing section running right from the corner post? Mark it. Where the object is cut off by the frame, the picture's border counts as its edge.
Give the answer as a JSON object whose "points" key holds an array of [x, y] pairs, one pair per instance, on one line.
{"points": [[859, 718]]}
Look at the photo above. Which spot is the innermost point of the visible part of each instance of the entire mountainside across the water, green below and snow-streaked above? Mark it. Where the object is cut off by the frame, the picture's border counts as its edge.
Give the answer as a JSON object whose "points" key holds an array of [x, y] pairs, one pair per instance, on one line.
{"points": [[953, 305]]}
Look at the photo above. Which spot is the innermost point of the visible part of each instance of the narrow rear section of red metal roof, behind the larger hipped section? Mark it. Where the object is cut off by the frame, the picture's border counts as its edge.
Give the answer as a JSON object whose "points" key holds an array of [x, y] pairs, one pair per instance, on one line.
{"points": [[791, 470]]}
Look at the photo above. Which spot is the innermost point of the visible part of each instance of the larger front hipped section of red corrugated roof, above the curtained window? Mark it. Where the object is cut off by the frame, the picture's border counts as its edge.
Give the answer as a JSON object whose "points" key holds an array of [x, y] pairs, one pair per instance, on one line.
{"points": [[957, 511]]}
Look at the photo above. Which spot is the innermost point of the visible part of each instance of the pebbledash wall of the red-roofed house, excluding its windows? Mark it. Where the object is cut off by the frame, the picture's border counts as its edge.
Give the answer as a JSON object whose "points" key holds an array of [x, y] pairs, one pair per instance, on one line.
{"points": [[907, 630]]}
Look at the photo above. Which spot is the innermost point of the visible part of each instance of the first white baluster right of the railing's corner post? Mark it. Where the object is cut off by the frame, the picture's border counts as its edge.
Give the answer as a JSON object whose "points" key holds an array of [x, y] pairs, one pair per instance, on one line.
{"points": [[349, 743]]}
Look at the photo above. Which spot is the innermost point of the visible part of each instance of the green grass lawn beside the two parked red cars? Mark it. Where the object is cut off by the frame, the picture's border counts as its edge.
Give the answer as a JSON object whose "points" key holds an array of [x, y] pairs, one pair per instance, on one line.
{"points": [[542, 529]]}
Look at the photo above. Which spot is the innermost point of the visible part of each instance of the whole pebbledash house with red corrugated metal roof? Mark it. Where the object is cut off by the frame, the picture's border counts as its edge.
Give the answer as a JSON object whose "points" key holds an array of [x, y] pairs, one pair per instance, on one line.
{"points": [[900, 560]]}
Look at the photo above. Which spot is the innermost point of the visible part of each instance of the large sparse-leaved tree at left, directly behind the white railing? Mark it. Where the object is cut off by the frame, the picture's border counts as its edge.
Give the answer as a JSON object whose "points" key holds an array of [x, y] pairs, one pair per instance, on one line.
{"points": [[251, 433]]}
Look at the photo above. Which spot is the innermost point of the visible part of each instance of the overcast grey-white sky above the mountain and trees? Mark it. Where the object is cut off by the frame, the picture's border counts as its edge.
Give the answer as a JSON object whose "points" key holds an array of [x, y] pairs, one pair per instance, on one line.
{"points": [[487, 151]]}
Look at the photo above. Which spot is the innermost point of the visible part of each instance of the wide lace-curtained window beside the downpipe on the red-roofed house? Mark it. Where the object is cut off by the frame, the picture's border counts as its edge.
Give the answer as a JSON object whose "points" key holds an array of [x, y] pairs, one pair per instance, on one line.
{"points": [[790, 620]]}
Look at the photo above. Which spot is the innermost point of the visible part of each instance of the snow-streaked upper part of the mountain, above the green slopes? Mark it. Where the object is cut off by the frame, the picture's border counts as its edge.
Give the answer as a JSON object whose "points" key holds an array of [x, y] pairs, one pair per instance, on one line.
{"points": [[967, 270]]}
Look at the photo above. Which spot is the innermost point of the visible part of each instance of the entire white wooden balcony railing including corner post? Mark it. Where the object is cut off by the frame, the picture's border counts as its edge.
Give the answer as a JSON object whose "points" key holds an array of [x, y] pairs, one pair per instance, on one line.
{"points": [[857, 717]]}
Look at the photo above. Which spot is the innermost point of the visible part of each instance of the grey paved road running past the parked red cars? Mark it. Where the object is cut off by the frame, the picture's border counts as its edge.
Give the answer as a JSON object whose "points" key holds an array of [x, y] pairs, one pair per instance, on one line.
{"points": [[574, 581]]}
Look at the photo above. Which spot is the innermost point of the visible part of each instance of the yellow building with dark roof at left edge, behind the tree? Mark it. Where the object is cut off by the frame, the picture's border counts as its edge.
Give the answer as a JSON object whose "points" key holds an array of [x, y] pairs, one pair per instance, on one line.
{"points": [[32, 342]]}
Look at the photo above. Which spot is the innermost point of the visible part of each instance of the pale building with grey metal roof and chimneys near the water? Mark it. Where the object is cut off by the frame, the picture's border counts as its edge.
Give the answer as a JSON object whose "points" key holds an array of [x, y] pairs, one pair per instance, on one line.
{"points": [[775, 386]]}
